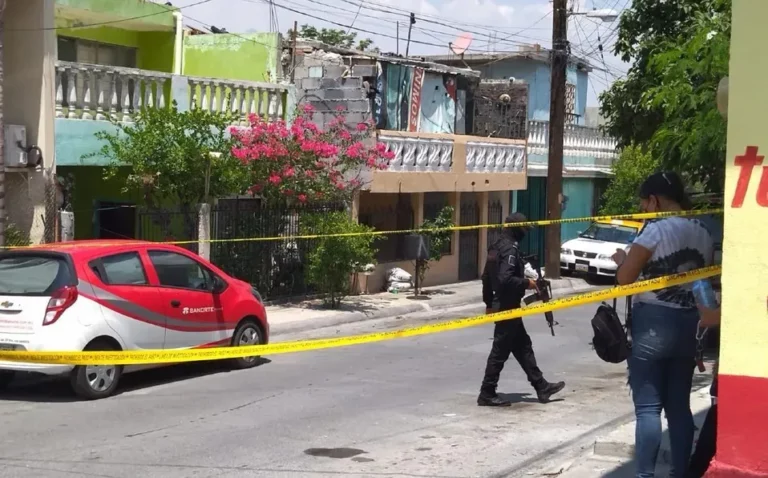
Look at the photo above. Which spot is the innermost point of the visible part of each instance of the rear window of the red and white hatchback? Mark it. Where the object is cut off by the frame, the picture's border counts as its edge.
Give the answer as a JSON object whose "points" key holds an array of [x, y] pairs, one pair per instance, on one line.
{"points": [[32, 275]]}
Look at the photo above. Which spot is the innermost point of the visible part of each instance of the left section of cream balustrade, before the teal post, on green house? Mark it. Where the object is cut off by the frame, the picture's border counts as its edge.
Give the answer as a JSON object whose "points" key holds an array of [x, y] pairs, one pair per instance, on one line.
{"points": [[85, 91]]}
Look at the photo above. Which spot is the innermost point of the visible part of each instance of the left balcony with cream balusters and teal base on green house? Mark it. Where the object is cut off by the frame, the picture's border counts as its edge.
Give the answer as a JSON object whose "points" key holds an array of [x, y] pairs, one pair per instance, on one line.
{"points": [[87, 96]]}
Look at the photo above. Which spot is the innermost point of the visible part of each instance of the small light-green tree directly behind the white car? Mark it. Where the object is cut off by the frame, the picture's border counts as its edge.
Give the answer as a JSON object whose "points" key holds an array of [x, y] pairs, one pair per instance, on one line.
{"points": [[629, 171]]}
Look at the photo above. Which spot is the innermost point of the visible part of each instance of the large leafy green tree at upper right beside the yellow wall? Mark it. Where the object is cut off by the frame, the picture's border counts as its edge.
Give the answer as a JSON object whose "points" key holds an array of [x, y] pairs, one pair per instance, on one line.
{"points": [[679, 53]]}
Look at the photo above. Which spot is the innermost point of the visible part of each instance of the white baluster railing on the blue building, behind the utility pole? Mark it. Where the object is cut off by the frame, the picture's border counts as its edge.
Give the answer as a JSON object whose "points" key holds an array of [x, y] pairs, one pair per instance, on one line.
{"points": [[580, 143]]}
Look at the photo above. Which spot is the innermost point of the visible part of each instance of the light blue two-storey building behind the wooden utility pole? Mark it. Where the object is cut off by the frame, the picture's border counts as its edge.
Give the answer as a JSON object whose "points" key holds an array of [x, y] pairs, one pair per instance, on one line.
{"points": [[588, 154]]}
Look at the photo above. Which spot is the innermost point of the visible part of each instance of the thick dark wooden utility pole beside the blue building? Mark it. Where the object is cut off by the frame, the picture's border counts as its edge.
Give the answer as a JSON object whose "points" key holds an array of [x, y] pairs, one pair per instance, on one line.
{"points": [[559, 63]]}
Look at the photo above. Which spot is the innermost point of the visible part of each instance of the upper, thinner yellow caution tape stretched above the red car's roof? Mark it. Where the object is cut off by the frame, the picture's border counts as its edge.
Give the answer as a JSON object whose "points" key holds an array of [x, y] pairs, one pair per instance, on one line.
{"points": [[544, 222]]}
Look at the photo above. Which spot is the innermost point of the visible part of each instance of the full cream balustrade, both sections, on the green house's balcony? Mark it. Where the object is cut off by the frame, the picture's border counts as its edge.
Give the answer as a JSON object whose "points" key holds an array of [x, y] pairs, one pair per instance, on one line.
{"points": [[86, 91]]}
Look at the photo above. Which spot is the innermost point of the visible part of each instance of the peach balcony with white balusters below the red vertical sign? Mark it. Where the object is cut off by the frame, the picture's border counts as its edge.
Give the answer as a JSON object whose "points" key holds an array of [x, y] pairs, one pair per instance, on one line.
{"points": [[427, 162]]}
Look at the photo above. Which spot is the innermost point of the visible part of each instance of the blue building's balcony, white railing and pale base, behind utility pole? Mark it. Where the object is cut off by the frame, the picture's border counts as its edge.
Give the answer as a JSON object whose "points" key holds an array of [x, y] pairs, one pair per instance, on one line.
{"points": [[586, 150]]}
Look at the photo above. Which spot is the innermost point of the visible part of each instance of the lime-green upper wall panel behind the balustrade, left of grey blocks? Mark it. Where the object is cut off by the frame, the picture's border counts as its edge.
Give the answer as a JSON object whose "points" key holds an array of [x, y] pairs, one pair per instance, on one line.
{"points": [[247, 57]]}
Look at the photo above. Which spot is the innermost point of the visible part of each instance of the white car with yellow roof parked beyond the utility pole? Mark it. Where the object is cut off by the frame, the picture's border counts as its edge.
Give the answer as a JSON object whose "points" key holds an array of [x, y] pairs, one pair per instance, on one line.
{"points": [[591, 252]]}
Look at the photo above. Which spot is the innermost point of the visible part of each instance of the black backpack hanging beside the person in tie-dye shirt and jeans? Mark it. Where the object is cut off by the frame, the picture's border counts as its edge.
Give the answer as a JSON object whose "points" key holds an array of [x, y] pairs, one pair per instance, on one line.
{"points": [[611, 341]]}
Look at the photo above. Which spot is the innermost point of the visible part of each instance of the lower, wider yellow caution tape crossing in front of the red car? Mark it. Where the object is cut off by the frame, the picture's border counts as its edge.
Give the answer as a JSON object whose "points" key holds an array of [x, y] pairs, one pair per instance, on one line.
{"points": [[136, 357]]}
